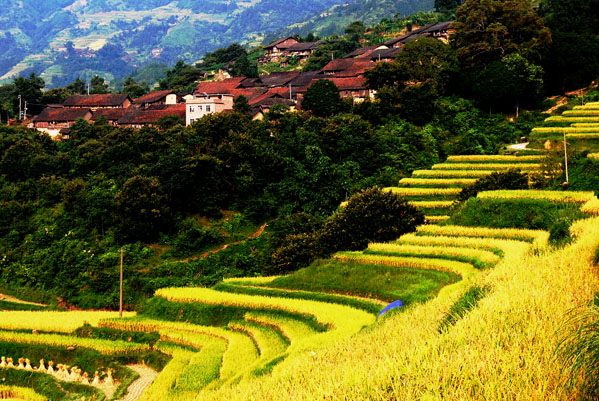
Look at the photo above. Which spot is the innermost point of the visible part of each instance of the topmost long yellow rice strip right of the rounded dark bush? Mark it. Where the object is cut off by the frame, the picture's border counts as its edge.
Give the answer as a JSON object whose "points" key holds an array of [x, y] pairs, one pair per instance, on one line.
{"points": [[539, 238]]}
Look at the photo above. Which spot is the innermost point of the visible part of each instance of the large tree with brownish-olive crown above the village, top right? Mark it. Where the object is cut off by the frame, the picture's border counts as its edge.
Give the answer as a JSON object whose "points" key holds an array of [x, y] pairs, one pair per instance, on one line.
{"points": [[489, 30]]}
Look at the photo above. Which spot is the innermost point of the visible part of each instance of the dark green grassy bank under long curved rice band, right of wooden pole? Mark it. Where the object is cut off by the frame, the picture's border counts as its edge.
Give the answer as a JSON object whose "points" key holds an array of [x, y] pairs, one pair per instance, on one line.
{"points": [[209, 315]]}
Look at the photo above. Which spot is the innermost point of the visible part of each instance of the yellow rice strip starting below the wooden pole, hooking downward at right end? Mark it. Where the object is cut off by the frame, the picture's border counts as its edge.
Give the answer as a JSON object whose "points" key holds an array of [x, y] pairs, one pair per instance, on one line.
{"points": [[240, 351]]}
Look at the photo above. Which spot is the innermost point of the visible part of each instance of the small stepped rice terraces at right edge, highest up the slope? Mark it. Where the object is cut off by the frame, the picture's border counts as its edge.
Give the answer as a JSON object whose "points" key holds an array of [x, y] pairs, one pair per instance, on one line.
{"points": [[580, 127]]}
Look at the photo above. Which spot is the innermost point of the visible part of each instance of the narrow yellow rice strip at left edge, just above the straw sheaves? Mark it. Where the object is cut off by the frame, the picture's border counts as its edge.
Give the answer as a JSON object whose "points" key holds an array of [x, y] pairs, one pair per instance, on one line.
{"points": [[107, 347]]}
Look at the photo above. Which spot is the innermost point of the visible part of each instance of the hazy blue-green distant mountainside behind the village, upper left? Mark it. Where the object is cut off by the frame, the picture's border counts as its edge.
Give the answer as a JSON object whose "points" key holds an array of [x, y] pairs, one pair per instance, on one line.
{"points": [[66, 39]]}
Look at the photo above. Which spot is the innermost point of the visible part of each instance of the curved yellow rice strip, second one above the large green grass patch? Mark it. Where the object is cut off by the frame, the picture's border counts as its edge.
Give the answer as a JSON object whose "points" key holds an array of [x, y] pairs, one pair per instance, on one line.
{"points": [[480, 254]]}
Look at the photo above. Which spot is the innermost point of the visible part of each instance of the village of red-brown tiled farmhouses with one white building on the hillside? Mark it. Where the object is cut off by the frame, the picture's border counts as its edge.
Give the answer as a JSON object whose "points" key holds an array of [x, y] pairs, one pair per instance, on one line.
{"points": [[278, 88]]}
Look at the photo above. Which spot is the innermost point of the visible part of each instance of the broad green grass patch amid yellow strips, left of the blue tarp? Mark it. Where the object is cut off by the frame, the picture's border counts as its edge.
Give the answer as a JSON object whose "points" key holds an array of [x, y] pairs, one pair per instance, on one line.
{"points": [[372, 281]]}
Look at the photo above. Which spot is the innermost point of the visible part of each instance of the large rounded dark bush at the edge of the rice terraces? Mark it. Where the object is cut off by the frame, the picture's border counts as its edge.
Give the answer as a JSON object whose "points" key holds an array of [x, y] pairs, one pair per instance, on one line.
{"points": [[371, 215]]}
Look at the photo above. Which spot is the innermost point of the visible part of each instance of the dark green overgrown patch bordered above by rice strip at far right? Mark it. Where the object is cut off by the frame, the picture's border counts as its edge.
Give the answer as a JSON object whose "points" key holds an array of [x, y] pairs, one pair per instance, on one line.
{"points": [[519, 213]]}
